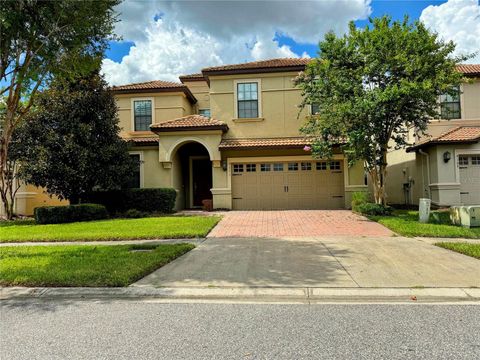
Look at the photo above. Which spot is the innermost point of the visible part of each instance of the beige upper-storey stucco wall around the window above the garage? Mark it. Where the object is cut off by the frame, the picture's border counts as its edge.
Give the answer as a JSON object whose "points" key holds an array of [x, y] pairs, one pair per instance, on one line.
{"points": [[279, 101]]}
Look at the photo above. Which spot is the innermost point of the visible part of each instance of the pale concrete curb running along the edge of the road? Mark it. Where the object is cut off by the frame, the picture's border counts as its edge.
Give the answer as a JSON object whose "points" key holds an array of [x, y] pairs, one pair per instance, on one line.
{"points": [[248, 294]]}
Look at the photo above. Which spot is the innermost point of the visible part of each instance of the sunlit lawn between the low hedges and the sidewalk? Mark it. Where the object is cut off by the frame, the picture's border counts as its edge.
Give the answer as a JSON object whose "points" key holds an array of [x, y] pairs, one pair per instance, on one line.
{"points": [[166, 227]]}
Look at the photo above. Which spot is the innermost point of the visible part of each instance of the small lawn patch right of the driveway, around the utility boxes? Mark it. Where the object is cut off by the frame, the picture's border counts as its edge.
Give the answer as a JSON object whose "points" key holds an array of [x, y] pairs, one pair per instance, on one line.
{"points": [[405, 222]]}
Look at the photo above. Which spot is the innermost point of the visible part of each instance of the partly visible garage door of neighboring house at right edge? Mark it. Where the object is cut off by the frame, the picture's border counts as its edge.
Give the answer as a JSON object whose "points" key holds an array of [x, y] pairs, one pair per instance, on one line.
{"points": [[469, 169]]}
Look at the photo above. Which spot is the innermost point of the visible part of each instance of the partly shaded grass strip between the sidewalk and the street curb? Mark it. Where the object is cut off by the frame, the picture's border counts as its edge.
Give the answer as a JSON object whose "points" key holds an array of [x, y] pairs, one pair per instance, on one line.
{"points": [[83, 265]]}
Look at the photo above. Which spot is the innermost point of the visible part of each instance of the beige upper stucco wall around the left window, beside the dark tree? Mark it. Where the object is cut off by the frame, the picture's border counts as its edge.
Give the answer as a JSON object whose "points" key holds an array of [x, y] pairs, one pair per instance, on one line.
{"points": [[167, 106]]}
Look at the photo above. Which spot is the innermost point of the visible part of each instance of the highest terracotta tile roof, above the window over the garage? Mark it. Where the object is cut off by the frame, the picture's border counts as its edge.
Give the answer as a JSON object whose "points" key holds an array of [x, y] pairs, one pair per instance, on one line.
{"points": [[283, 64]]}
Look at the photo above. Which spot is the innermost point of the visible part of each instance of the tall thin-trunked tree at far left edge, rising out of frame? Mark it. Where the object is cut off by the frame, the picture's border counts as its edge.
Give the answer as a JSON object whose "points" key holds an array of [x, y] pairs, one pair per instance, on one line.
{"points": [[40, 40]]}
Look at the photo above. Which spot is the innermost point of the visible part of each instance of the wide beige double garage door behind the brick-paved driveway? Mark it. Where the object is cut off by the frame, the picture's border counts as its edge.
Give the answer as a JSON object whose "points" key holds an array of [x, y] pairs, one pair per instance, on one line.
{"points": [[288, 185]]}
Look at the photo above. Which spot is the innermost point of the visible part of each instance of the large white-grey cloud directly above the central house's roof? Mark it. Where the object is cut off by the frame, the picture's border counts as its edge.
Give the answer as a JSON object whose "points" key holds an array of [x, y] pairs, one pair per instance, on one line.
{"points": [[193, 34]]}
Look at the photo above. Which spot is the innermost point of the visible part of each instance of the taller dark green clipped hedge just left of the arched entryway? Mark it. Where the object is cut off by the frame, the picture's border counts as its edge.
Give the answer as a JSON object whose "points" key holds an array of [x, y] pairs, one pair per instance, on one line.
{"points": [[148, 200]]}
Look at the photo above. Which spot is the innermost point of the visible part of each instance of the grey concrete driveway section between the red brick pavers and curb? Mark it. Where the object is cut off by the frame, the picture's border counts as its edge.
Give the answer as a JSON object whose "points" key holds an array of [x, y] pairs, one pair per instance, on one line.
{"points": [[334, 261]]}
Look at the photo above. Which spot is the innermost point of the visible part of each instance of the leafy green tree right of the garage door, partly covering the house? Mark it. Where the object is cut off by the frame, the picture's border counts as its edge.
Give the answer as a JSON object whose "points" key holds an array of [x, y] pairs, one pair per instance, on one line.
{"points": [[372, 86]]}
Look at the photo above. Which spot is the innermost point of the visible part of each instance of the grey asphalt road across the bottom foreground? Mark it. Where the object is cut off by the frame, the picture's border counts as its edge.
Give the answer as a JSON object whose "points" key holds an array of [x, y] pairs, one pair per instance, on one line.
{"points": [[153, 330]]}
